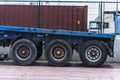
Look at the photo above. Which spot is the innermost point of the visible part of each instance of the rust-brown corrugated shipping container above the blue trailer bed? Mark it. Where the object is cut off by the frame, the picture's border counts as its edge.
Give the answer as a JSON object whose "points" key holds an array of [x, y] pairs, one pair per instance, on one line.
{"points": [[51, 17]]}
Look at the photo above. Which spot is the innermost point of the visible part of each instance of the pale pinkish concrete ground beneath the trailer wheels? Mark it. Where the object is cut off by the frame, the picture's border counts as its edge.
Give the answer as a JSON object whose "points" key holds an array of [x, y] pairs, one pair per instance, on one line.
{"points": [[74, 71]]}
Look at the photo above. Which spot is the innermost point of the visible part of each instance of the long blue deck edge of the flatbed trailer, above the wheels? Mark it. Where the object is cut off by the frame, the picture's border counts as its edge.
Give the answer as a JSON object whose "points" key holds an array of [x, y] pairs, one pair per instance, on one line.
{"points": [[4, 29]]}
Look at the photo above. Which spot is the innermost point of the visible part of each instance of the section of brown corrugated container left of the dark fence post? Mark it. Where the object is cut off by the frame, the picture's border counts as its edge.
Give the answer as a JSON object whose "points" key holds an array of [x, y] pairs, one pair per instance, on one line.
{"points": [[16, 15]]}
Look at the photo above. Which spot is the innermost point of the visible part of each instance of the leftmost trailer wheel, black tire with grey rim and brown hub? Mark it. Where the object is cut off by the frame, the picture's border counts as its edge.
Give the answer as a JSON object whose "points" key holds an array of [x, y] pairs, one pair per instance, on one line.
{"points": [[24, 52]]}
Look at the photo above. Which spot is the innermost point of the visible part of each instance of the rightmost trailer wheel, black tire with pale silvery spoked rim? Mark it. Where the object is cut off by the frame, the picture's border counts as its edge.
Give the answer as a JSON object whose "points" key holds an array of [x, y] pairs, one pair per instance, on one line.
{"points": [[93, 54]]}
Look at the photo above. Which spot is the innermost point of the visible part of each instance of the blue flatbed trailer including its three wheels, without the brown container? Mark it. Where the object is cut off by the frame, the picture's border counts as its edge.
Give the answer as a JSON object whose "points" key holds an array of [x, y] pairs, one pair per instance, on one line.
{"points": [[24, 40]]}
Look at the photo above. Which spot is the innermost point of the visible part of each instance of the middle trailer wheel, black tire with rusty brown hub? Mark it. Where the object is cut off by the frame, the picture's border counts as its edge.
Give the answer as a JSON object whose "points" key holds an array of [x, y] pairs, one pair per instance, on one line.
{"points": [[58, 52]]}
